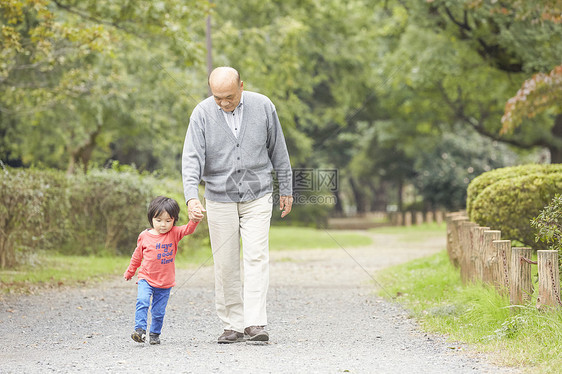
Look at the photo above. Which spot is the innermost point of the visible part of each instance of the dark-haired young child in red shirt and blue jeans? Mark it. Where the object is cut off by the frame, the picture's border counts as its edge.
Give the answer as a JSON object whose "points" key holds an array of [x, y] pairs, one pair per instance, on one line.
{"points": [[155, 253]]}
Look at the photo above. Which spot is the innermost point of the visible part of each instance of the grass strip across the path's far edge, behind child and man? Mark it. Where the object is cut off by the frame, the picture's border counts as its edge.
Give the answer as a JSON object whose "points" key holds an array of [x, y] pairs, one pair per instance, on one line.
{"points": [[53, 270]]}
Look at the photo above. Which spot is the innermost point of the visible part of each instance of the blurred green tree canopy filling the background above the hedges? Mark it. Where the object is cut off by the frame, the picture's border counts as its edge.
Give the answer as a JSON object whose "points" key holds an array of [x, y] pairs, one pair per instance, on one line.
{"points": [[379, 90]]}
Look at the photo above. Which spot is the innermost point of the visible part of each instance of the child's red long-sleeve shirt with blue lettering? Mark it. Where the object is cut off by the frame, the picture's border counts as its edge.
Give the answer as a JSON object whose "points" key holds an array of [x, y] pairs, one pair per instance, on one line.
{"points": [[155, 255]]}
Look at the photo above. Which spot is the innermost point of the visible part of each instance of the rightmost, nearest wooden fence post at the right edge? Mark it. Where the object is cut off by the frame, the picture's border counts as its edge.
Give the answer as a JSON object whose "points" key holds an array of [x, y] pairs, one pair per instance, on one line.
{"points": [[549, 279]]}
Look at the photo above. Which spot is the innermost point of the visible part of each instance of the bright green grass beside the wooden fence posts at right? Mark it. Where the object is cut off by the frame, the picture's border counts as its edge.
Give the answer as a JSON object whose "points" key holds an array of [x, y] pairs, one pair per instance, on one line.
{"points": [[431, 289]]}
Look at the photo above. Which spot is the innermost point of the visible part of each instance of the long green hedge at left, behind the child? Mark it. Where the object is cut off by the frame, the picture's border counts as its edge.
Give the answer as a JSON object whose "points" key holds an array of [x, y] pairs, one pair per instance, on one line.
{"points": [[99, 213]]}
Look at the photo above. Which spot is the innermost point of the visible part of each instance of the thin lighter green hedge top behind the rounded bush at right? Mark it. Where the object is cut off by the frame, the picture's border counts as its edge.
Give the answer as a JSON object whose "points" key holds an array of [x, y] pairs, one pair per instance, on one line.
{"points": [[484, 180]]}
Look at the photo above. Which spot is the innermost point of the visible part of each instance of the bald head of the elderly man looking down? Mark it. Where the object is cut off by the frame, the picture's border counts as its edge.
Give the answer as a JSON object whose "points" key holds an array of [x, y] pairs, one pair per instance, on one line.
{"points": [[226, 87]]}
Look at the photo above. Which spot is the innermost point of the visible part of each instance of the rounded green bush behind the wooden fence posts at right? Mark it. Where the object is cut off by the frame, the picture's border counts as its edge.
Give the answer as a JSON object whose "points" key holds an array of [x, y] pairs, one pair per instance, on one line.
{"points": [[514, 199]]}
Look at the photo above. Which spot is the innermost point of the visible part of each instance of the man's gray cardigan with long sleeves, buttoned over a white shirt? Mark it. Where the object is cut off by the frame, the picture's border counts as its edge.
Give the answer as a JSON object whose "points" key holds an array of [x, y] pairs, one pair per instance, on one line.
{"points": [[235, 169]]}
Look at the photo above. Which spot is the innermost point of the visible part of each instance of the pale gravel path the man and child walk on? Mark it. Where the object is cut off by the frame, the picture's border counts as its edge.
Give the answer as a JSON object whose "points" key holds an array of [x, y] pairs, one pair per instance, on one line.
{"points": [[324, 318]]}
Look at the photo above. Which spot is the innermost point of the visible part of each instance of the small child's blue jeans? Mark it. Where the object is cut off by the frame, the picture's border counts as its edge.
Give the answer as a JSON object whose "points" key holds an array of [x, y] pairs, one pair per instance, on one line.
{"points": [[160, 298]]}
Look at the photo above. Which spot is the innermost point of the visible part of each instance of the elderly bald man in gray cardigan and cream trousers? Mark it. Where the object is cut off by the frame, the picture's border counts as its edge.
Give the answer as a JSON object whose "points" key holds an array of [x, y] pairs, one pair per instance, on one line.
{"points": [[233, 143]]}
